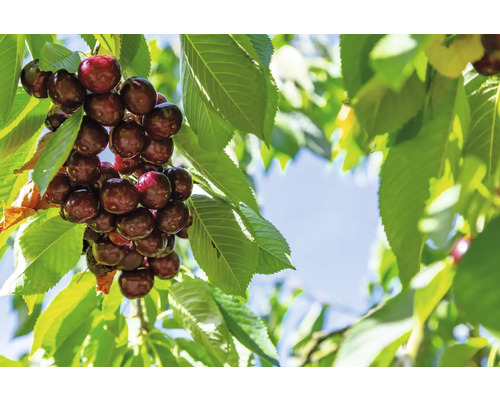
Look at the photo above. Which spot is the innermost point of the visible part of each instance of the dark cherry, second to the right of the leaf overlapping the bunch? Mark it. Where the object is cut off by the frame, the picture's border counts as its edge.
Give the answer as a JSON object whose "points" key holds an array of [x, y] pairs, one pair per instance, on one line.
{"points": [[127, 139]]}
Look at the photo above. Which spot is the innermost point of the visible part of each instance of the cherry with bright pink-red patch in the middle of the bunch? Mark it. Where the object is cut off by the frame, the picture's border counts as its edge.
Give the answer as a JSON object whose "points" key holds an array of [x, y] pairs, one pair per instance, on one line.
{"points": [[154, 190]]}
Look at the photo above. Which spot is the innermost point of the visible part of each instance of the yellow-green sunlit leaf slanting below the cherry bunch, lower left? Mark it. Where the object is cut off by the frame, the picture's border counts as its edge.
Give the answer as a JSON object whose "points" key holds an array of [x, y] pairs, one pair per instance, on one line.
{"points": [[65, 314]]}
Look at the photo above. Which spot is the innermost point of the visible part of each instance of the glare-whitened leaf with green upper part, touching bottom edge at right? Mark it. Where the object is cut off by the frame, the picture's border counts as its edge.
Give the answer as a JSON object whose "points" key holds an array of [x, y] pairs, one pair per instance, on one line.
{"points": [[387, 327]]}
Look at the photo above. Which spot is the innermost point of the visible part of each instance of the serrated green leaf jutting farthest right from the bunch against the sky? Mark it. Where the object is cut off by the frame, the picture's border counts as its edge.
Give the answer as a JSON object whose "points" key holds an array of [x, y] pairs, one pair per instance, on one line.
{"points": [[274, 252]]}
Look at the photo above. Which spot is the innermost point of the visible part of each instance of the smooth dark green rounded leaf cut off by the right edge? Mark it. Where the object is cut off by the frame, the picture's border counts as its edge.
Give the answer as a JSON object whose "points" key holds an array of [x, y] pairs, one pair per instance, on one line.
{"points": [[475, 287]]}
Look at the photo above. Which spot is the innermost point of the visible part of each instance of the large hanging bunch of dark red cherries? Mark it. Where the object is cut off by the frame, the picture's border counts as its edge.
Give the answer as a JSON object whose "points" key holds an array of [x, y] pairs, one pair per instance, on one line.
{"points": [[134, 208]]}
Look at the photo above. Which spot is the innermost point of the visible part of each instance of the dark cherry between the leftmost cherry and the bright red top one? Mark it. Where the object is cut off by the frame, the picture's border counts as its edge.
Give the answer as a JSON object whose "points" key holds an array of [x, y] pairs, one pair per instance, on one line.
{"points": [[66, 90]]}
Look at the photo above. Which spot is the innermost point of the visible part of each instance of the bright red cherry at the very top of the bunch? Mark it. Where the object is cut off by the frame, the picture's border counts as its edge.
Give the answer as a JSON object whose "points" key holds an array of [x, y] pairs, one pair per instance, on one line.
{"points": [[99, 73]]}
